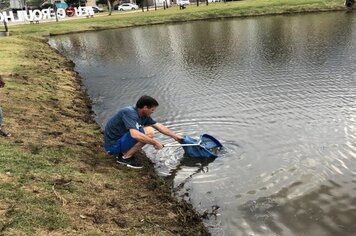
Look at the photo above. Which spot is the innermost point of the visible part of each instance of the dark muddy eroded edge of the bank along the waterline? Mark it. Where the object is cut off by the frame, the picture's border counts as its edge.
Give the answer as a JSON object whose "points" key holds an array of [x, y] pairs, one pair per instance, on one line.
{"points": [[188, 220]]}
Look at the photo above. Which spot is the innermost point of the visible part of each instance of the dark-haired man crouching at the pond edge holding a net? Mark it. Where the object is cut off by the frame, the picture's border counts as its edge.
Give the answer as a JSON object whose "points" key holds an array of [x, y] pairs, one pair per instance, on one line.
{"points": [[131, 128]]}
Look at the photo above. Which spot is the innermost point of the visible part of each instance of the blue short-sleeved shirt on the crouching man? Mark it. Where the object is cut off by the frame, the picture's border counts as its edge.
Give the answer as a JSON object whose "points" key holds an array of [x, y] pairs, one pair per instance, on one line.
{"points": [[125, 119]]}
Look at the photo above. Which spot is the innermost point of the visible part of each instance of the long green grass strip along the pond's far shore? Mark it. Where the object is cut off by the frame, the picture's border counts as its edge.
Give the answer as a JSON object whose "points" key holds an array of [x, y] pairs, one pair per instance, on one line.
{"points": [[173, 14]]}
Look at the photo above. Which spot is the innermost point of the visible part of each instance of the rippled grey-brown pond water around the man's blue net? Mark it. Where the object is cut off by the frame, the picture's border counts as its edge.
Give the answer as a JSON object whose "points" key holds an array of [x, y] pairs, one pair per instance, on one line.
{"points": [[279, 92]]}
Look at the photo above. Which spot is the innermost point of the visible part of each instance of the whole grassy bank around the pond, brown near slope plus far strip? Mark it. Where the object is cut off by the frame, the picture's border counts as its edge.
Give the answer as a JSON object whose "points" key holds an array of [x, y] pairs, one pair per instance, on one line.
{"points": [[55, 178]]}
